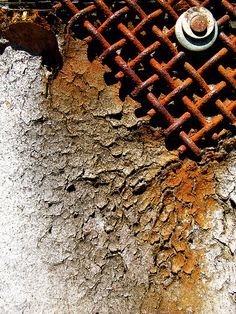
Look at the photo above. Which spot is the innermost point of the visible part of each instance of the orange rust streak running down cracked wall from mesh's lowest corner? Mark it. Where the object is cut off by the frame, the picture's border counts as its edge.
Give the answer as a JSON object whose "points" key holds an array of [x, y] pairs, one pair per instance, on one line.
{"points": [[187, 201]]}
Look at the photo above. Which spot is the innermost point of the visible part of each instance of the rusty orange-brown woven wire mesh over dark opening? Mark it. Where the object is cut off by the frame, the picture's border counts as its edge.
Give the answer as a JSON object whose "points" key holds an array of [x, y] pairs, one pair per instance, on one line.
{"points": [[190, 94]]}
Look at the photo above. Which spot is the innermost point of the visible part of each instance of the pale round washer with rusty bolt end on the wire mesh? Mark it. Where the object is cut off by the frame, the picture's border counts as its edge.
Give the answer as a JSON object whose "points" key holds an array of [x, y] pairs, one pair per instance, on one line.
{"points": [[196, 29]]}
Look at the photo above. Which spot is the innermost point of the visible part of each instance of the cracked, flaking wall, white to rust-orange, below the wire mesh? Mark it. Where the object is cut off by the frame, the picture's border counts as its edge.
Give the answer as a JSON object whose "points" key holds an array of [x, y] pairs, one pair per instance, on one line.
{"points": [[97, 216]]}
